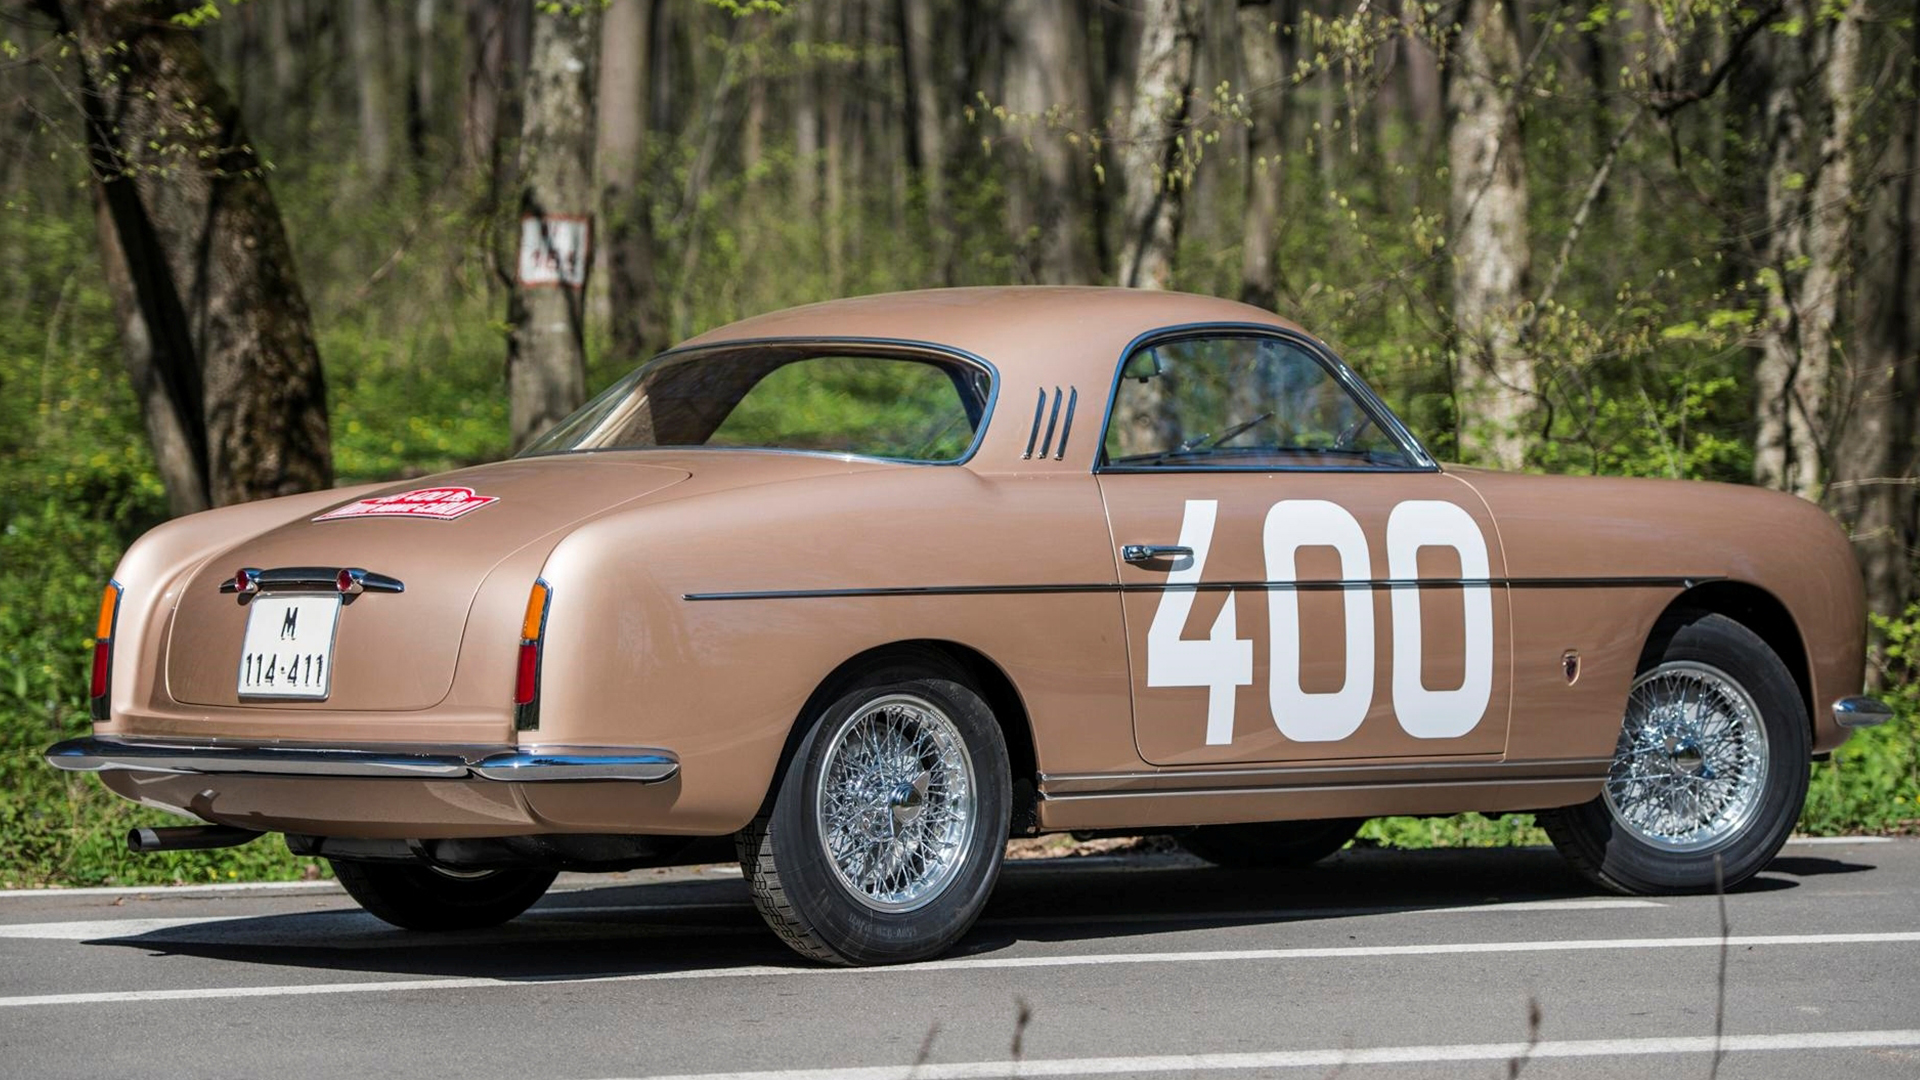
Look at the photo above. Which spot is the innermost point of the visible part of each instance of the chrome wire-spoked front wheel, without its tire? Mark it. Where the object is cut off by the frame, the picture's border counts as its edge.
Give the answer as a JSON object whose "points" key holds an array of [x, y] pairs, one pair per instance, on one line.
{"points": [[1691, 766]]}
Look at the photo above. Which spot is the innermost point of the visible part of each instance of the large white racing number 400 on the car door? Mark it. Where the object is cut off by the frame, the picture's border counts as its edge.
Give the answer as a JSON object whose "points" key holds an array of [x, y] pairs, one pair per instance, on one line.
{"points": [[1224, 662]]}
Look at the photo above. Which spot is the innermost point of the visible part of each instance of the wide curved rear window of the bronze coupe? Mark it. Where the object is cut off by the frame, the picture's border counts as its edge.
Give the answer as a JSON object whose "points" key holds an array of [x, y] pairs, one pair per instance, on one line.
{"points": [[903, 406]]}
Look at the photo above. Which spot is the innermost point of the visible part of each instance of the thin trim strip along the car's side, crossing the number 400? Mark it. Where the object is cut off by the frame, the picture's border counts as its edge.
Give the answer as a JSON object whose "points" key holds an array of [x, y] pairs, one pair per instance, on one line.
{"points": [[1687, 581]]}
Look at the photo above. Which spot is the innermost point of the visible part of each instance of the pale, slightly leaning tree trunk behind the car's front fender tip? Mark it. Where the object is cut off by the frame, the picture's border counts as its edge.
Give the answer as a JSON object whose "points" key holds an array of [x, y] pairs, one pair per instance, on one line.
{"points": [[1810, 218]]}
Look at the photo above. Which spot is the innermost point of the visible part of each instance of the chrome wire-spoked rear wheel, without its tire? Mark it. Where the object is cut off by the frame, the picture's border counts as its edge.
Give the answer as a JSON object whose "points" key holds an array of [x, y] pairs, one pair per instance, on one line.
{"points": [[898, 802]]}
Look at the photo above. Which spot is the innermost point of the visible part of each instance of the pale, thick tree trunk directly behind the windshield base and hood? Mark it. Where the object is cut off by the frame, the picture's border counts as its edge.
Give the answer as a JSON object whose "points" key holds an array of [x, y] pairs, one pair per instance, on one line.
{"points": [[1495, 380]]}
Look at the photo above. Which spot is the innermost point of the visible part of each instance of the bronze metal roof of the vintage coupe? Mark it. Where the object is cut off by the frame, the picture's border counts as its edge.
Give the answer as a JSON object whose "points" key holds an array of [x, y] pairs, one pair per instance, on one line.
{"points": [[1044, 331]]}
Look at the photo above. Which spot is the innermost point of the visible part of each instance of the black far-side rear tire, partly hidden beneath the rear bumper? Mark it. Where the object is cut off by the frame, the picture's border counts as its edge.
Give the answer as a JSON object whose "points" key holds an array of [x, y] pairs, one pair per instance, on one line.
{"points": [[423, 898]]}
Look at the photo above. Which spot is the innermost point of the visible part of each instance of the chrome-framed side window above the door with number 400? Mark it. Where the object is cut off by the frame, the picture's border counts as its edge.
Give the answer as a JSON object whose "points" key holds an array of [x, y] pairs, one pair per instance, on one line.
{"points": [[1241, 403]]}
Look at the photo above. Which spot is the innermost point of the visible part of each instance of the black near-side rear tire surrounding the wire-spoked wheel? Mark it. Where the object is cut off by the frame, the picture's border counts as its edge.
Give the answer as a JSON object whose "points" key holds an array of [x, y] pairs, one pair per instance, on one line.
{"points": [[863, 935]]}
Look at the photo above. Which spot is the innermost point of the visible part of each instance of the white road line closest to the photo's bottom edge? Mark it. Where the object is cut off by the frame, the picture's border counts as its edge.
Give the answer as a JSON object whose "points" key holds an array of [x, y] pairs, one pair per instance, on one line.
{"points": [[1333, 1058]]}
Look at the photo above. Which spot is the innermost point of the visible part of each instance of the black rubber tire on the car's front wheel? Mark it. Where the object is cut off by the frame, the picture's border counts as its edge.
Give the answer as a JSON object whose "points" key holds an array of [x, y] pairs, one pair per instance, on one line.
{"points": [[1614, 856]]}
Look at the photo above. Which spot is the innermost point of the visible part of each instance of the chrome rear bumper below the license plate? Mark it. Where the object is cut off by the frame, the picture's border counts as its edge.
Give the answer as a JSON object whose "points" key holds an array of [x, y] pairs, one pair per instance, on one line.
{"points": [[514, 764]]}
